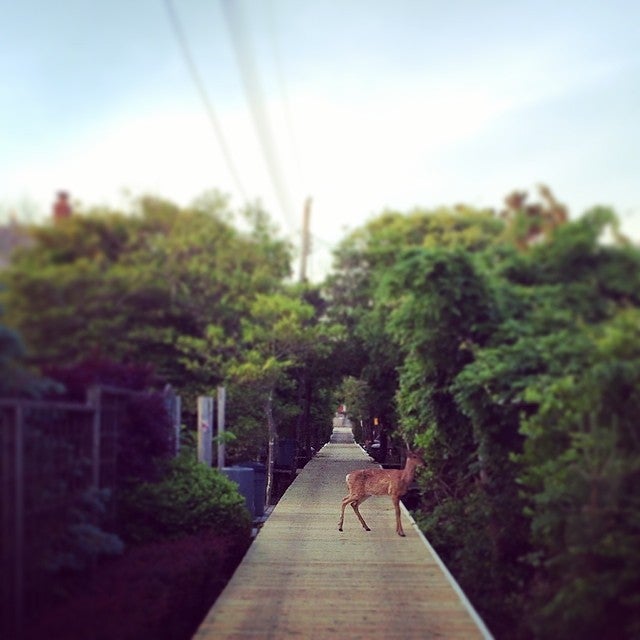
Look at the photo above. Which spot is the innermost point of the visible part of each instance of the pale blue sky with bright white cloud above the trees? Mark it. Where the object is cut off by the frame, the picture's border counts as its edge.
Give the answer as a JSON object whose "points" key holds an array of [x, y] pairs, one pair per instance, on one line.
{"points": [[361, 104]]}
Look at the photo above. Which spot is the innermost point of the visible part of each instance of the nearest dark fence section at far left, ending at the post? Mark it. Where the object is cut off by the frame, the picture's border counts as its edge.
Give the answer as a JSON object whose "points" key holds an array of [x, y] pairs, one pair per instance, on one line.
{"points": [[46, 465]]}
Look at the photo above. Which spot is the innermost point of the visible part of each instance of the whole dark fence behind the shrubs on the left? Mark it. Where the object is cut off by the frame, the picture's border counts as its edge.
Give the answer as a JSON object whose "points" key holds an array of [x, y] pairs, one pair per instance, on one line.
{"points": [[51, 453]]}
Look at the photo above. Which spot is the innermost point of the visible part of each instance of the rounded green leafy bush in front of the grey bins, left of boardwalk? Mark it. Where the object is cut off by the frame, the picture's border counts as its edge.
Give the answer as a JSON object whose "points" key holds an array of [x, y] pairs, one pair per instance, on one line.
{"points": [[189, 498]]}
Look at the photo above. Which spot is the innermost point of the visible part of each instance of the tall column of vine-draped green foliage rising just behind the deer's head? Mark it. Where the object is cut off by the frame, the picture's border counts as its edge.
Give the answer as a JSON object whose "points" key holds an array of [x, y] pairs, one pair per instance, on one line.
{"points": [[443, 310]]}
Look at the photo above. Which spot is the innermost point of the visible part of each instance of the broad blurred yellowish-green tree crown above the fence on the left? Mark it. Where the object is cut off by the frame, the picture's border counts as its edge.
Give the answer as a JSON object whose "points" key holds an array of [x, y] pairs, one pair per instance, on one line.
{"points": [[140, 287]]}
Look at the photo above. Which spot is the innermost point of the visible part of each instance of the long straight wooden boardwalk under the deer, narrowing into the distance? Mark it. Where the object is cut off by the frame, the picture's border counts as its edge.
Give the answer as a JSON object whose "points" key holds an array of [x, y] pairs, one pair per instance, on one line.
{"points": [[302, 578]]}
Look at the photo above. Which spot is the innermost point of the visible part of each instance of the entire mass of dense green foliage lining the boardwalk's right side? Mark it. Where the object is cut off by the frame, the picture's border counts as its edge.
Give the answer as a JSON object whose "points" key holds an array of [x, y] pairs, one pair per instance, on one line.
{"points": [[518, 380]]}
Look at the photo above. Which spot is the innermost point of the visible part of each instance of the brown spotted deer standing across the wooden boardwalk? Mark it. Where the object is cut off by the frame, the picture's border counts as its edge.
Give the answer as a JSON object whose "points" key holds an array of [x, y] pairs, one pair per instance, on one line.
{"points": [[364, 483]]}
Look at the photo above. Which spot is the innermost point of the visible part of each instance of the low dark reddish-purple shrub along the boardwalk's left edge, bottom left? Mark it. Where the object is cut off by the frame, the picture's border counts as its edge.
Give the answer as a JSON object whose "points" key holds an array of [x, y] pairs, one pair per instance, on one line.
{"points": [[159, 591]]}
